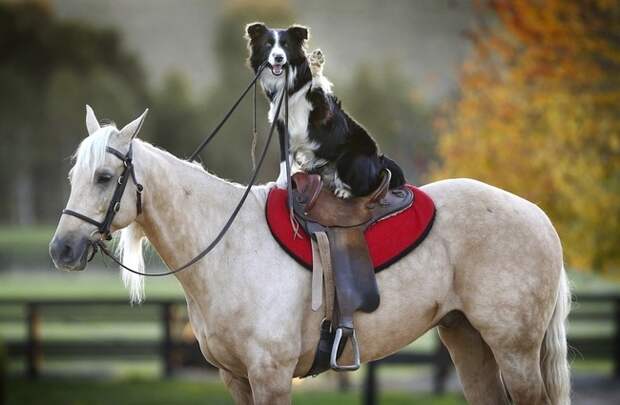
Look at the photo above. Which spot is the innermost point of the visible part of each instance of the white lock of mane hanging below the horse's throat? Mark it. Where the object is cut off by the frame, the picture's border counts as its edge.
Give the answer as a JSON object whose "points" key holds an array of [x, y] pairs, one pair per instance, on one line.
{"points": [[130, 252]]}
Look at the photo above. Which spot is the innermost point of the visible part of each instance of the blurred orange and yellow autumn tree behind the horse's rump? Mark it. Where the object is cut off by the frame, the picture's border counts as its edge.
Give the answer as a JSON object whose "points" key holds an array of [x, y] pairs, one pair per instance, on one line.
{"points": [[539, 115]]}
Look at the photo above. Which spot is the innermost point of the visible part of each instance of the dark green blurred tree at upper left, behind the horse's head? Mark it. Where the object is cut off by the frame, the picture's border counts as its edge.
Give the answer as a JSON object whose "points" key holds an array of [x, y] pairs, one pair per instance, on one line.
{"points": [[48, 71]]}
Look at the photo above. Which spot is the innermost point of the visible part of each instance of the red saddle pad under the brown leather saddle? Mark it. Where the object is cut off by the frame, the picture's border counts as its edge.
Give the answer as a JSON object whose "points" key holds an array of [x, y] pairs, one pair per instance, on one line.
{"points": [[388, 240]]}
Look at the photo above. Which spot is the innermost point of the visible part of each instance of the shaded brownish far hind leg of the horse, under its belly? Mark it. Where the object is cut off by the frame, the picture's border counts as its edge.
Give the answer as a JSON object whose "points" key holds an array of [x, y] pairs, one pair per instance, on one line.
{"points": [[474, 361]]}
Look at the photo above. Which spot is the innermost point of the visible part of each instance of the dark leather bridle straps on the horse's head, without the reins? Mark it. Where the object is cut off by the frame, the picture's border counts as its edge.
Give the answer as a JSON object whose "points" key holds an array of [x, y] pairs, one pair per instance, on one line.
{"points": [[103, 227]]}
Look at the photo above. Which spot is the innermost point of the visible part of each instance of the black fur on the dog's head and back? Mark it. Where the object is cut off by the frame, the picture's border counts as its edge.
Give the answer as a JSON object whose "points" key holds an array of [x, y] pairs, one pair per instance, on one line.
{"points": [[340, 139]]}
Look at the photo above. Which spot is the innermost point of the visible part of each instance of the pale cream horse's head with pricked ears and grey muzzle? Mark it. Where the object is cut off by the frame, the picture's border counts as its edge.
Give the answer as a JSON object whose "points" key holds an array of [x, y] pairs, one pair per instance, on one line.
{"points": [[94, 178]]}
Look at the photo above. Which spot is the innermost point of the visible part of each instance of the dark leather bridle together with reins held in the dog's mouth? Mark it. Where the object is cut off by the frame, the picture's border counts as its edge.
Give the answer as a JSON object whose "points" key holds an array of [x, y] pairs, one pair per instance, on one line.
{"points": [[104, 227]]}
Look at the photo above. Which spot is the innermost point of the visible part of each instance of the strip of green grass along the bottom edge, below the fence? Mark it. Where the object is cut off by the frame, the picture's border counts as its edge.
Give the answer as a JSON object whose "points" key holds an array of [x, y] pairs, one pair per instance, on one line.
{"points": [[61, 392]]}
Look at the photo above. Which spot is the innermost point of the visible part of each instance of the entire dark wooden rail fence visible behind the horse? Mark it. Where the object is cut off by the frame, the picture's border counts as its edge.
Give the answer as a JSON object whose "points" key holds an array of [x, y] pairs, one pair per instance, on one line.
{"points": [[174, 354]]}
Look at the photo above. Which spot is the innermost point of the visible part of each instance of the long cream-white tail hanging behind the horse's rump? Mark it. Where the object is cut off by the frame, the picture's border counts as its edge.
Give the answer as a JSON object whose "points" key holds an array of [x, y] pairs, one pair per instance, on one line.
{"points": [[553, 353]]}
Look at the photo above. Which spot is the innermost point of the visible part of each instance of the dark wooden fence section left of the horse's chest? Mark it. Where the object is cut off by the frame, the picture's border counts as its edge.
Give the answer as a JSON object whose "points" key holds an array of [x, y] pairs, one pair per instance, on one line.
{"points": [[34, 349]]}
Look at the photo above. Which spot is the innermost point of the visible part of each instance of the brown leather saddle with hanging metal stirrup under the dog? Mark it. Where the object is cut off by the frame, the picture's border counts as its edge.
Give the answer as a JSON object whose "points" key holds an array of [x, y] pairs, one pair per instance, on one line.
{"points": [[341, 262]]}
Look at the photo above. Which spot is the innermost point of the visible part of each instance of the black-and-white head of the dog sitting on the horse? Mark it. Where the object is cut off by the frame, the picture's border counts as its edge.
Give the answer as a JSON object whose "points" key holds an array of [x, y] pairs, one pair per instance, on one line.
{"points": [[278, 47]]}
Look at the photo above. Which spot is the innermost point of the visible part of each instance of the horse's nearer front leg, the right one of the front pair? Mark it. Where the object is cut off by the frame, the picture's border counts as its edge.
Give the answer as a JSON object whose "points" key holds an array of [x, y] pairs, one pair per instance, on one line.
{"points": [[271, 382]]}
